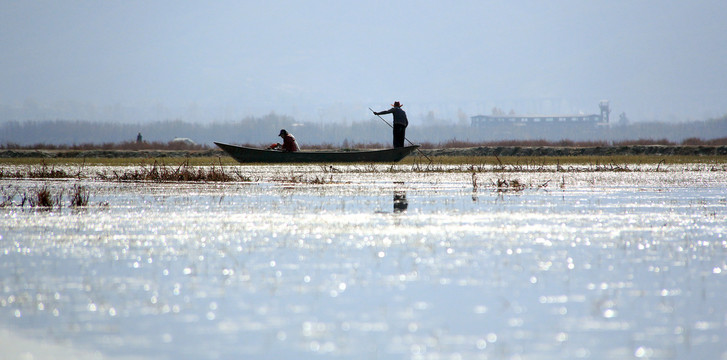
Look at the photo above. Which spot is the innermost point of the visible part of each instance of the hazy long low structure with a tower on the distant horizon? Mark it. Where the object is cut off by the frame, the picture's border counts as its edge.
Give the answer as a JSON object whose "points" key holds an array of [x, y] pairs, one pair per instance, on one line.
{"points": [[520, 120]]}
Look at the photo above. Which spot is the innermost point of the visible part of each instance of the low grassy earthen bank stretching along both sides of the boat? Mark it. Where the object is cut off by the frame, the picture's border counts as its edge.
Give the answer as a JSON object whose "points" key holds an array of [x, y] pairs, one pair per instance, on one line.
{"points": [[514, 151]]}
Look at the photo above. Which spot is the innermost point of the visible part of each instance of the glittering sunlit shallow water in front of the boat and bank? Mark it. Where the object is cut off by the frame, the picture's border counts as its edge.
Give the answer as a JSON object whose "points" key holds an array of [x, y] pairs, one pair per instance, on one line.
{"points": [[372, 263]]}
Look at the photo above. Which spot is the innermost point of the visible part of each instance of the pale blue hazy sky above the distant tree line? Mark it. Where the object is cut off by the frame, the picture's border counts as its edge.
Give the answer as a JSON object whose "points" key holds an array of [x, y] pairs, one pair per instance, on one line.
{"points": [[318, 60]]}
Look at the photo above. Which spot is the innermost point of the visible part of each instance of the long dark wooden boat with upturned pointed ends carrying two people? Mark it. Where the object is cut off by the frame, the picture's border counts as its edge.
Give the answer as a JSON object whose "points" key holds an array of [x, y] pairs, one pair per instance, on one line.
{"points": [[252, 155]]}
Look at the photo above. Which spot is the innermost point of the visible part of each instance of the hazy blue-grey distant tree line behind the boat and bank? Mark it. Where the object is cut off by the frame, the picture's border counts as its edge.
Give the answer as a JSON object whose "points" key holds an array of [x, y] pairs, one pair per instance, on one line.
{"points": [[260, 131]]}
